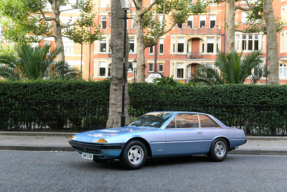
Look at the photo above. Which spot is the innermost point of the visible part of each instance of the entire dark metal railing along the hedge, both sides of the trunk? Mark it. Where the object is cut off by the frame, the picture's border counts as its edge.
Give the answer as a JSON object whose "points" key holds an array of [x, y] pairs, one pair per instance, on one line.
{"points": [[80, 116]]}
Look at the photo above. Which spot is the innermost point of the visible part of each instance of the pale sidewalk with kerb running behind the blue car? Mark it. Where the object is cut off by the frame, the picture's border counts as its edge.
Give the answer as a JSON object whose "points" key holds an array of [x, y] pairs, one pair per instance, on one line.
{"points": [[58, 141]]}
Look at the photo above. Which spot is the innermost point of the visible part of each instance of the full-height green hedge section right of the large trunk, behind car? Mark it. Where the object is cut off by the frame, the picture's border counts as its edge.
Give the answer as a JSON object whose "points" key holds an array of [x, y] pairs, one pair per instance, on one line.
{"points": [[257, 109]]}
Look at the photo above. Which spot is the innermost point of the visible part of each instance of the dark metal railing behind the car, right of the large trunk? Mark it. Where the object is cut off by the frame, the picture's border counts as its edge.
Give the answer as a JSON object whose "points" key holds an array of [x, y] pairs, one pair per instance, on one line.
{"points": [[253, 119]]}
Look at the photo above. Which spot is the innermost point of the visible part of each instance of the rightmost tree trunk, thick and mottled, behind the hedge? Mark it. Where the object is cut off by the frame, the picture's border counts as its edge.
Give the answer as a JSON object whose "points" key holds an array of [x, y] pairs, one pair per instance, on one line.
{"points": [[272, 43]]}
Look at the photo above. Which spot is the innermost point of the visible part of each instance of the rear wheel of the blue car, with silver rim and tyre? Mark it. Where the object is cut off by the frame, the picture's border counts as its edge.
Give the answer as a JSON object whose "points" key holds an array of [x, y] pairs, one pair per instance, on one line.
{"points": [[218, 150]]}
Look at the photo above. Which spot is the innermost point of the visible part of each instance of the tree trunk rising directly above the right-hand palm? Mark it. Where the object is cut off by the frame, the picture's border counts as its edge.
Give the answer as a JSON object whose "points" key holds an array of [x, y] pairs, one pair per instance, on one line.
{"points": [[231, 26]]}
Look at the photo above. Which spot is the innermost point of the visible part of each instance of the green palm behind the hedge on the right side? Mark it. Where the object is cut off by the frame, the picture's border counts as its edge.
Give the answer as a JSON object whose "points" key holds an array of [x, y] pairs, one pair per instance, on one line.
{"points": [[234, 70]]}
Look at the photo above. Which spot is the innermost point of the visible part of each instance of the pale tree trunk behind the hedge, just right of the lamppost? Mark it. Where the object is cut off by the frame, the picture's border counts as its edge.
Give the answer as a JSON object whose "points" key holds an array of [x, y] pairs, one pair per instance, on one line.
{"points": [[140, 44]]}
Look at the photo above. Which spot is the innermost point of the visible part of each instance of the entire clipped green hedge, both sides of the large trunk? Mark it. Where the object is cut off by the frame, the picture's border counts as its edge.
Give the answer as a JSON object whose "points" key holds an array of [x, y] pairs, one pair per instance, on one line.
{"points": [[80, 104]]}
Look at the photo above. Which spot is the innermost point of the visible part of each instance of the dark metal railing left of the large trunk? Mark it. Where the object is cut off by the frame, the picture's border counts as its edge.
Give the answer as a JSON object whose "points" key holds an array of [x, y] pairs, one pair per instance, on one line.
{"points": [[64, 116]]}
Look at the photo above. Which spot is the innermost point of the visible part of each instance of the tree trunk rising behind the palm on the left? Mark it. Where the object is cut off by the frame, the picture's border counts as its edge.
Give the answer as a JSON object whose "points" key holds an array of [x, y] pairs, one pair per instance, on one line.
{"points": [[57, 30]]}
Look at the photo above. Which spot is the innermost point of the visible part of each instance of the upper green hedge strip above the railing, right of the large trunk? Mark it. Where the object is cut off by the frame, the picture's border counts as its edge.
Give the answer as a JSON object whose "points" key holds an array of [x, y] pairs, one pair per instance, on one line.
{"points": [[227, 94]]}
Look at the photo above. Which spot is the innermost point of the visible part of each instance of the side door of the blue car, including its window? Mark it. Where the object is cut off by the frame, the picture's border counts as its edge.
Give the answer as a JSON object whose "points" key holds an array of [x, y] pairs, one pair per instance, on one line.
{"points": [[183, 134]]}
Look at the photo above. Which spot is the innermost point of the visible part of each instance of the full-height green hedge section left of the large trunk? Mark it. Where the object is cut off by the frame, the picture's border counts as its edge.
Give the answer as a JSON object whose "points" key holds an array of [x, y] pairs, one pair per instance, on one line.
{"points": [[54, 104]]}
